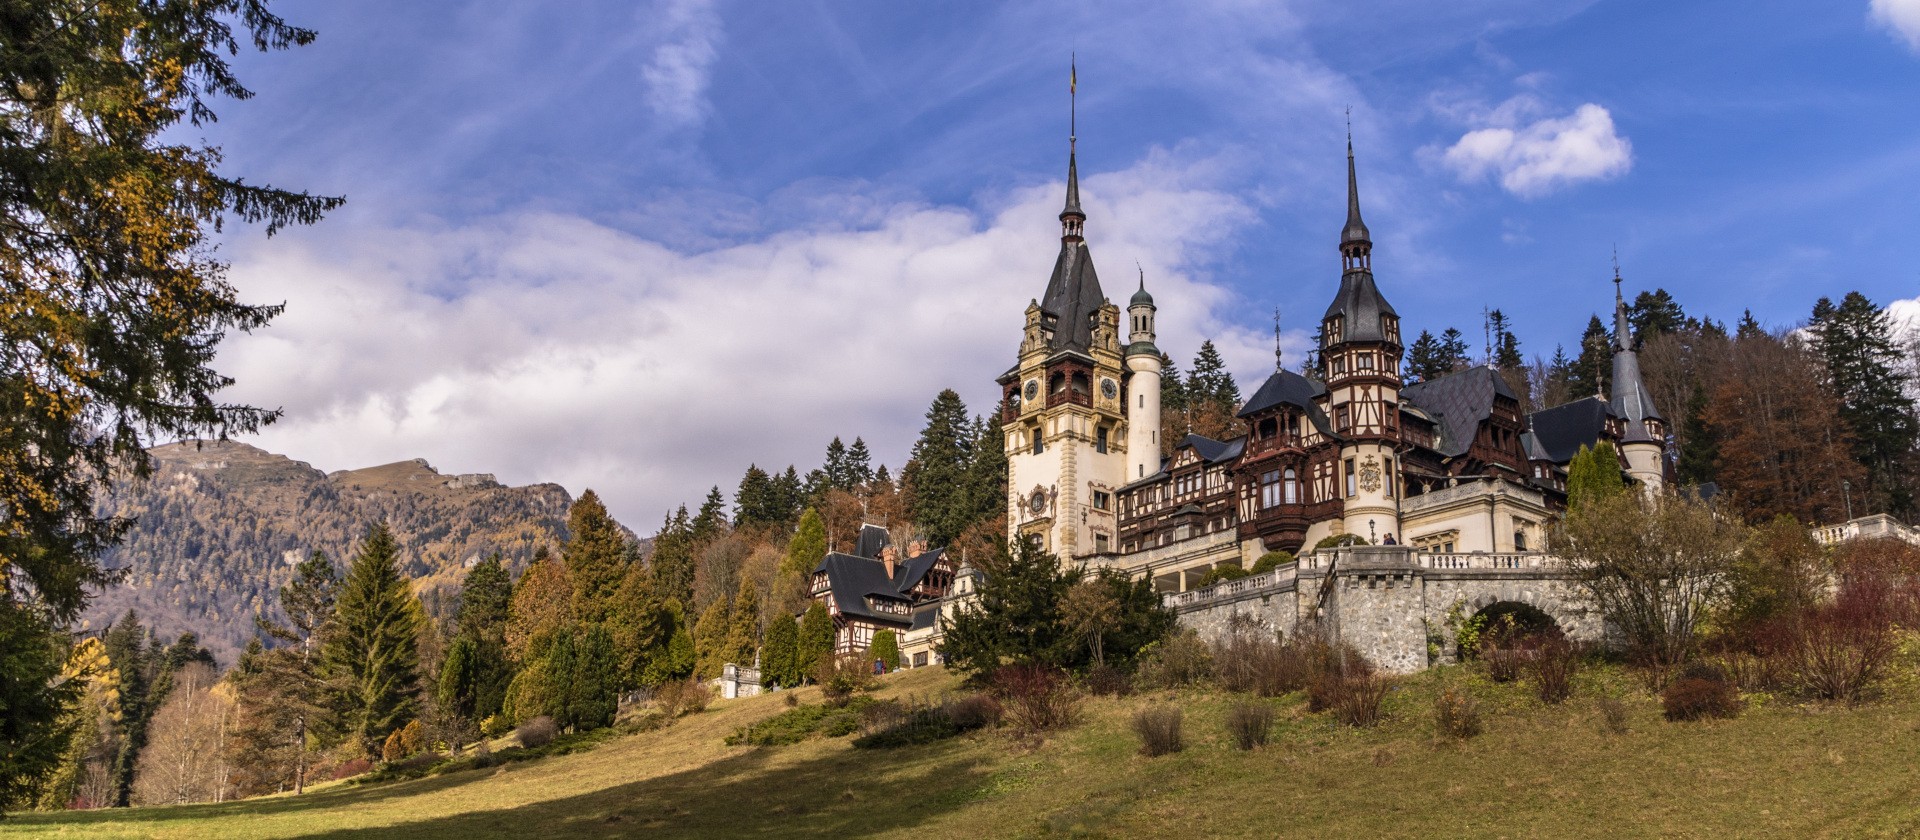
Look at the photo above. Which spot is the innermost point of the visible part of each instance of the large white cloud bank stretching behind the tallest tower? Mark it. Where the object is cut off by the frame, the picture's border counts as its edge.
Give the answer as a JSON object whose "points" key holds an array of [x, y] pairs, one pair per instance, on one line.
{"points": [[548, 348]]}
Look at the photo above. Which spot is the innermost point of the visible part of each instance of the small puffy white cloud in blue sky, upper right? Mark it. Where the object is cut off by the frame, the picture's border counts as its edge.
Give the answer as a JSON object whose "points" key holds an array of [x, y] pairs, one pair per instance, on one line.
{"points": [[1543, 156]]}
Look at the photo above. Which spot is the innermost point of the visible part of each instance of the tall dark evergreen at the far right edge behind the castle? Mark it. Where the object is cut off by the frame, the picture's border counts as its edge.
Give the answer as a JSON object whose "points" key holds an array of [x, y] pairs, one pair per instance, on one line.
{"points": [[1863, 369]]}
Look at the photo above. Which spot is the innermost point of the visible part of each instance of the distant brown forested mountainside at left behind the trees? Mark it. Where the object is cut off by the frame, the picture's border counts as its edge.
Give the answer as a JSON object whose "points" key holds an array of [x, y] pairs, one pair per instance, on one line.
{"points": [[222, 526]]}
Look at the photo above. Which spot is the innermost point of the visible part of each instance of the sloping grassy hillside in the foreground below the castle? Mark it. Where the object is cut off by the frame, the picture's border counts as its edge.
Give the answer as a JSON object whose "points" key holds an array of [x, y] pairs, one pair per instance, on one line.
{"points": [[1781, 770]]}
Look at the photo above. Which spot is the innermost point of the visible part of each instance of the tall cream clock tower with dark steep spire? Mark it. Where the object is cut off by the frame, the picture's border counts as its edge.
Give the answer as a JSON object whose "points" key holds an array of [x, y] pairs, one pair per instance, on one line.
{"points": [[1065, 409]]}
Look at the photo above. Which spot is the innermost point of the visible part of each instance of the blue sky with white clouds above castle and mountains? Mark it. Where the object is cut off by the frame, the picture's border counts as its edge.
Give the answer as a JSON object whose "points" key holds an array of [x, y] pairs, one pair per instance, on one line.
{"points": [[638, 246]]}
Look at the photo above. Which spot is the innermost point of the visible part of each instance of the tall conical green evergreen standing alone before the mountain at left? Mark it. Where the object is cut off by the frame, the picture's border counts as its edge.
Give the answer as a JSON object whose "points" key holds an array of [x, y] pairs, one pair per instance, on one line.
{"points": [[373, 643]]}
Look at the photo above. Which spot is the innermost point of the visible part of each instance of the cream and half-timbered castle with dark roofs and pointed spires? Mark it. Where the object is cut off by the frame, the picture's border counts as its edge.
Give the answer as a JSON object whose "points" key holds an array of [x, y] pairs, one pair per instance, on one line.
{"points": [[1447, 467]]}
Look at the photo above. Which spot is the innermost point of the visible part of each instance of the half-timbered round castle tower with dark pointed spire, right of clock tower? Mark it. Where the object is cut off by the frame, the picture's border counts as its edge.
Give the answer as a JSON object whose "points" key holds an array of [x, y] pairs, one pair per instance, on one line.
{"points": [[1360, 363]]}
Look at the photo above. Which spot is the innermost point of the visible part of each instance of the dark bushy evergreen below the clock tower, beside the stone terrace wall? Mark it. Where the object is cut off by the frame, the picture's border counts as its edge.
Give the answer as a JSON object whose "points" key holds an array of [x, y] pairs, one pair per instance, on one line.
{"points": [[1017, 617]]}
